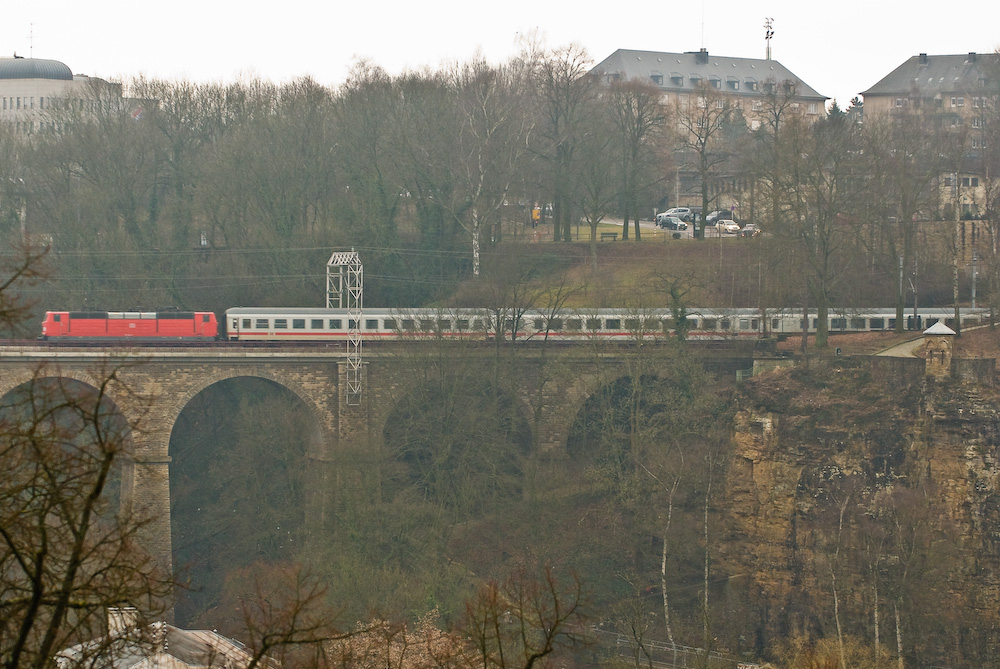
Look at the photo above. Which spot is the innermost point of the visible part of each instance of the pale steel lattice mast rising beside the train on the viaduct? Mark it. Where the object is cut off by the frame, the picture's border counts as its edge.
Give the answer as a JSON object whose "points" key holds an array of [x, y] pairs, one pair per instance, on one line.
{"points": [[345, 290]]}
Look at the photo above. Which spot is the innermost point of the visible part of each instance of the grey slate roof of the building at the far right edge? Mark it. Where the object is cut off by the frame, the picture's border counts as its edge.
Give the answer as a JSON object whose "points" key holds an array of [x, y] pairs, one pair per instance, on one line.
{"points": [[933, 75]]}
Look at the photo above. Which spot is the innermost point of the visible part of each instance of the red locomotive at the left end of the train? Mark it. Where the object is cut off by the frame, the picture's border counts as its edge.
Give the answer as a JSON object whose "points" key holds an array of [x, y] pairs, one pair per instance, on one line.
{"points": [[130, 325]]}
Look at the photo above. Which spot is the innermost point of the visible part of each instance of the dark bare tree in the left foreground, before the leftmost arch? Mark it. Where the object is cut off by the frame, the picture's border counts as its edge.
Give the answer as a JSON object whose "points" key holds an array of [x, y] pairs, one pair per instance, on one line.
{"points": [[67, 555]]}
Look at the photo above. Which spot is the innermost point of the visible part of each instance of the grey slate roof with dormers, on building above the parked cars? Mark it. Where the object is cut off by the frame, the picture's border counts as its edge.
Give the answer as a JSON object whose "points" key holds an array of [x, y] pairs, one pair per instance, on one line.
{"points": [[681, 71]]}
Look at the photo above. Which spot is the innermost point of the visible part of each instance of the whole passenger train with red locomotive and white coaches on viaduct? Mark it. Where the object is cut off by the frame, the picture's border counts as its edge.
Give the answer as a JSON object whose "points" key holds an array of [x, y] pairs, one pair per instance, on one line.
{"points": [[302, 325]]}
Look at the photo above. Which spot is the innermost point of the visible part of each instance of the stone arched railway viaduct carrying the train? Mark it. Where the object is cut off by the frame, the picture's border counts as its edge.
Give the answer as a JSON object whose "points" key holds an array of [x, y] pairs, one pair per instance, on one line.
{"points": [[152, 386]]}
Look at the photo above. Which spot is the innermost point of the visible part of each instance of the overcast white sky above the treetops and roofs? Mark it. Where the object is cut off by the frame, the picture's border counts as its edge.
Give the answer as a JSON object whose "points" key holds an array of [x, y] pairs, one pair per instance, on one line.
{"points": [[840, 48]]}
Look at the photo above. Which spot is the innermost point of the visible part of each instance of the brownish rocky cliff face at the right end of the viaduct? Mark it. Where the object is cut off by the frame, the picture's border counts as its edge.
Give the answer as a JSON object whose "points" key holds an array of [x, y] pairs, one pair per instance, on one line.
{"points": [[874, 493]]}
